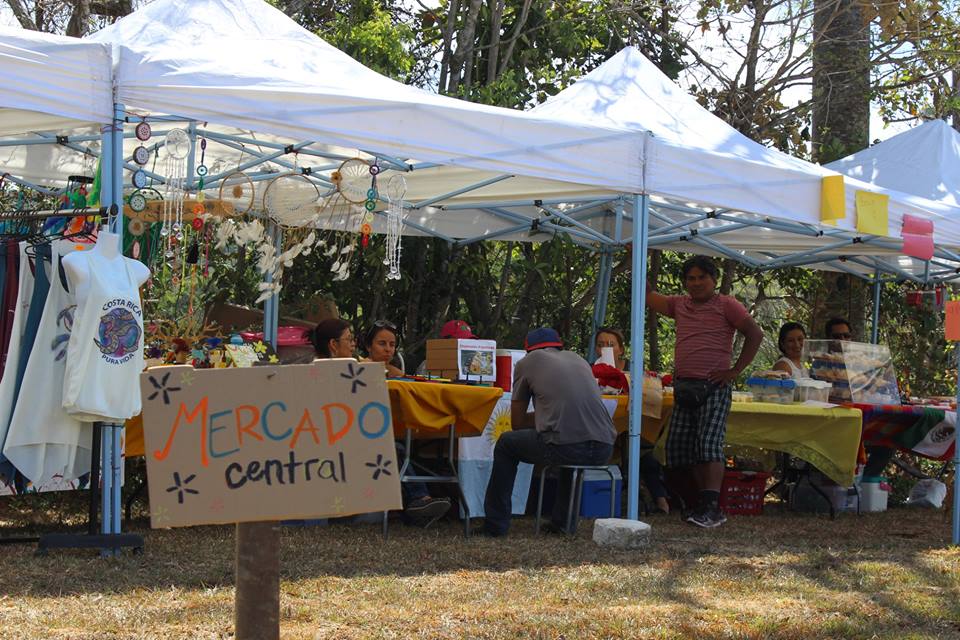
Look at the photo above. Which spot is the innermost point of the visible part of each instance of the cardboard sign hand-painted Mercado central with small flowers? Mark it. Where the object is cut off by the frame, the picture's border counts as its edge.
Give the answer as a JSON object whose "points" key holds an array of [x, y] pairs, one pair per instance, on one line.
{"points": [[268, 443]]}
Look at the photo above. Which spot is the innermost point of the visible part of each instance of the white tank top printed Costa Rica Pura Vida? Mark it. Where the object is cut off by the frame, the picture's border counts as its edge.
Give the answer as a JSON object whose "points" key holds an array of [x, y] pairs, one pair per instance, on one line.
{"points": [[105, 354]]}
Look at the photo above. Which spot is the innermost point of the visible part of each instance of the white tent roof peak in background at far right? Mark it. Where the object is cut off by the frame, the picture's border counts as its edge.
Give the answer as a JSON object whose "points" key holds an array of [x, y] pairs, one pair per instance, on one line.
{"points": [[924, 160]]}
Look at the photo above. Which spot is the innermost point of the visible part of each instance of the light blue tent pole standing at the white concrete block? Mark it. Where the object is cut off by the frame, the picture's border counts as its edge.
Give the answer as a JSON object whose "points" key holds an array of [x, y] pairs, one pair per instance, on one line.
{"points": [[638, 301]]}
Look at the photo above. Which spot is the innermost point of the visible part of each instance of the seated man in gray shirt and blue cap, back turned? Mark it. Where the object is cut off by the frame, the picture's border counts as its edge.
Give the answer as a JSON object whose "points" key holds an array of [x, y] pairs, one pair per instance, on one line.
{"points": [[571, 425]]}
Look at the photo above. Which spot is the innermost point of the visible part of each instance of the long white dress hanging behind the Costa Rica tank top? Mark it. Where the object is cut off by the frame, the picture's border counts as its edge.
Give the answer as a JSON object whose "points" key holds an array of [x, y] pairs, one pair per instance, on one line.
{"points": [[45, 443]]}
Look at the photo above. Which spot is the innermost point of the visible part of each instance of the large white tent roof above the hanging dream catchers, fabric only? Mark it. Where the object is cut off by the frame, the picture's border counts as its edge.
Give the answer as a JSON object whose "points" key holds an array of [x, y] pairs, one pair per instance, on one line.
{"points": [[244, 64]]}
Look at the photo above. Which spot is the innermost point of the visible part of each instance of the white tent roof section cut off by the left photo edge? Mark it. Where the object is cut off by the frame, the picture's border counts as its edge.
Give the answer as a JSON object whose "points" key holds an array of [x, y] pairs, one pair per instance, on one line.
{"points": [[52, 82]]}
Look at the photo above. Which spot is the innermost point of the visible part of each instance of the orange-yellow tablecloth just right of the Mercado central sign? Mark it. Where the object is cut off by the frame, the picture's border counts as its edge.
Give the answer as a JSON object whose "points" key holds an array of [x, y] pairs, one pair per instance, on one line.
{"points": [[427, 407]]}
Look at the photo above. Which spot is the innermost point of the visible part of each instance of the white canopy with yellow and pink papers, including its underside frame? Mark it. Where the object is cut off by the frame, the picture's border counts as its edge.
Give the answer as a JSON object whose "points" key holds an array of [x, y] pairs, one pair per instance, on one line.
{"points": [[743, 181]]}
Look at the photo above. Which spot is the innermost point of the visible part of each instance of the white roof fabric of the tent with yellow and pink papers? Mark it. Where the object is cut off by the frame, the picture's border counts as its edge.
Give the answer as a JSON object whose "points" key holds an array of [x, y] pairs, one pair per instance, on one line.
{"points": [[696, 156]]}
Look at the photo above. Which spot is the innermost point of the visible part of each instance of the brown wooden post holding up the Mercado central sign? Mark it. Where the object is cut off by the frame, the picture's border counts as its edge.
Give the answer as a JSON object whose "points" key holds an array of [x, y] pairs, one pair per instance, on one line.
{"points": [[257, 600]]}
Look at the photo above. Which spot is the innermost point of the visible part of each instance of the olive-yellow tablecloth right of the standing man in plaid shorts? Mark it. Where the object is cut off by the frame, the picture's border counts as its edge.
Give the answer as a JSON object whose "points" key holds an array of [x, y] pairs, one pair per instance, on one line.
{"points": [[829, 439]]}
